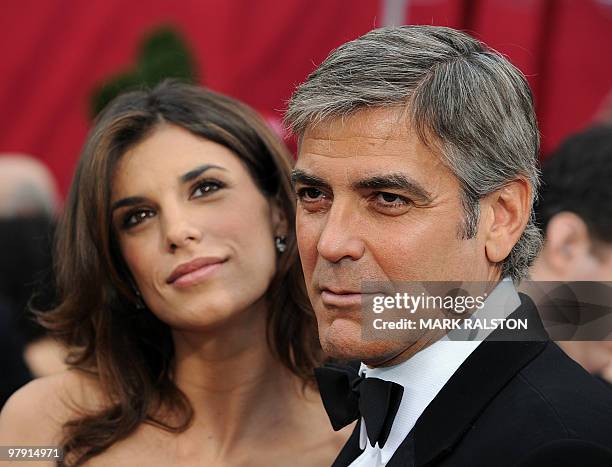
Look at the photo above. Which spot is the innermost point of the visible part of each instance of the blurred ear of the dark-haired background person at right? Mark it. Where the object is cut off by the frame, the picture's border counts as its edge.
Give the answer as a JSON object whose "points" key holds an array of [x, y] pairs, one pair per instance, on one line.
{"points": [[567, 239]]}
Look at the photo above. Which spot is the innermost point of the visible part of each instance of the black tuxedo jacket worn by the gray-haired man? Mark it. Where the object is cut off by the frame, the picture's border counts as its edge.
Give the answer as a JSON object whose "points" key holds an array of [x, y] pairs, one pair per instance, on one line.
{"points": [[510, 403]]}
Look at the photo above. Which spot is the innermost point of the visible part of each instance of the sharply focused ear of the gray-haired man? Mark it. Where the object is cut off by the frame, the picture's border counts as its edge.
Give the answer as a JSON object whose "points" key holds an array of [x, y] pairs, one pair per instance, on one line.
{"points": [[507, 213]]}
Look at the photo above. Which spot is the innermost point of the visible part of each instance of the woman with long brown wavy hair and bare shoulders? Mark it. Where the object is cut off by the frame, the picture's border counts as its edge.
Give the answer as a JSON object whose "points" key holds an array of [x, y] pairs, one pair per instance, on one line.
{"points": [[182, 297]]}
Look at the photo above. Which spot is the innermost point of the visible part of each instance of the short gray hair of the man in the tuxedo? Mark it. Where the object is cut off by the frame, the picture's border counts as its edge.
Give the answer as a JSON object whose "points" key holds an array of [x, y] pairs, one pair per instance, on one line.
{"points": [[464, 99]]}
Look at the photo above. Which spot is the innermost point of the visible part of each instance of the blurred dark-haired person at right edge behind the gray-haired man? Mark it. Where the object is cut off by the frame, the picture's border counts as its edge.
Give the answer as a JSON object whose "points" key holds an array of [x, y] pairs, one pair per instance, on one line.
{"points": [[575, 214]]}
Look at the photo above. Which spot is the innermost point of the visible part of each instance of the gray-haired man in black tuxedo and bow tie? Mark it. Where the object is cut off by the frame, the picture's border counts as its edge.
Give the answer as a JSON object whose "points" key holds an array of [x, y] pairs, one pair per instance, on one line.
{"points": [[417, 162]]}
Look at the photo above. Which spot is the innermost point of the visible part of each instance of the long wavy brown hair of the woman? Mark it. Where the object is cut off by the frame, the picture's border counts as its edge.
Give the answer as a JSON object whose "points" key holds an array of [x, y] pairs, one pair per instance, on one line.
{"points": [[129, 350]]}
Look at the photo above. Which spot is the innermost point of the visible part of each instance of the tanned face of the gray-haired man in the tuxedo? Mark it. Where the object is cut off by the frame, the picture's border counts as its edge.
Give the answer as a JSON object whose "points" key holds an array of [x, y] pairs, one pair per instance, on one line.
{"points": [[375, 204]]}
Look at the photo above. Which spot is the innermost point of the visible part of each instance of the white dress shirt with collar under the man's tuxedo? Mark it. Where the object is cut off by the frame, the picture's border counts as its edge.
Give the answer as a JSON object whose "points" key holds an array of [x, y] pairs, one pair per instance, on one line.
{"points": [[424, 375]]}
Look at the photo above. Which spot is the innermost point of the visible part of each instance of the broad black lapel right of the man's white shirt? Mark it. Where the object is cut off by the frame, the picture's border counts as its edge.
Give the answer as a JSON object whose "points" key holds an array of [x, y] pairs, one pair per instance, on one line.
{"points": [[477, 381]]}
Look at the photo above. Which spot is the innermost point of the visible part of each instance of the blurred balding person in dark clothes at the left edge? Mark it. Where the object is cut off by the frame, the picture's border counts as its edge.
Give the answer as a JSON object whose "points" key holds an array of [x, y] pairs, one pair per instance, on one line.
{"points": [[28, 206]]}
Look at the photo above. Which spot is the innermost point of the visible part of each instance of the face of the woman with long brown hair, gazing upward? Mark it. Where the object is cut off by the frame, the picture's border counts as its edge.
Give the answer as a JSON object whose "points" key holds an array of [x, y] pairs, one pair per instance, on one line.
{"points": [[193, 228]]}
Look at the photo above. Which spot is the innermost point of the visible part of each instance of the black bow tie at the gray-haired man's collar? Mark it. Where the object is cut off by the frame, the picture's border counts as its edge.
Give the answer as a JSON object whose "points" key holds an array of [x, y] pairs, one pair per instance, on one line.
{"points": [[347, 395]]}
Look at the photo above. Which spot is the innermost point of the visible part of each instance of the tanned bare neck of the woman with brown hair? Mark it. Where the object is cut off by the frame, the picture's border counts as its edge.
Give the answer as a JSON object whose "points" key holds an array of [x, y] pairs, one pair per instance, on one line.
{"points": [[237, 388]]}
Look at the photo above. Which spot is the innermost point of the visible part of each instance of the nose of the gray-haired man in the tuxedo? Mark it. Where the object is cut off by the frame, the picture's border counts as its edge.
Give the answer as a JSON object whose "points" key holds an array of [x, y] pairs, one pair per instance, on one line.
{"points": [[340, 236]]}
